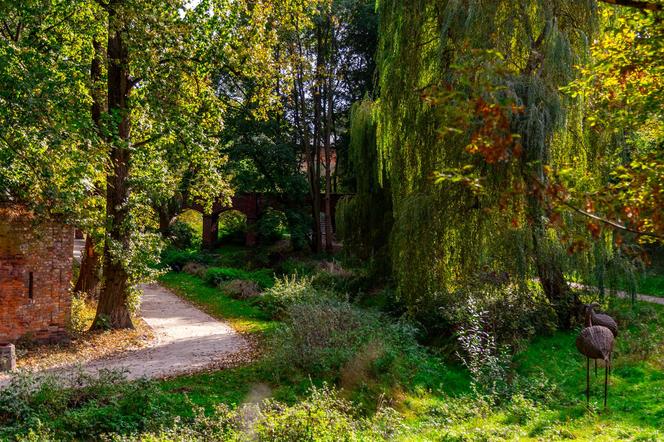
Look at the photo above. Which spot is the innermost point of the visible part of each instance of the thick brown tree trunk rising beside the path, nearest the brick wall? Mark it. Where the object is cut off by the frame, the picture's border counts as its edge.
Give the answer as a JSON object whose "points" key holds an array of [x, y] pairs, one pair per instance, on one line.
{"points": [[112, 309]]}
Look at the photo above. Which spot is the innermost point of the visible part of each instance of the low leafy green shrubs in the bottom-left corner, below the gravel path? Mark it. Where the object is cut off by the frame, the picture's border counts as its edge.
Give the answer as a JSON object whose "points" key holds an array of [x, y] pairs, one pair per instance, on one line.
{"points": [[99, 404]]}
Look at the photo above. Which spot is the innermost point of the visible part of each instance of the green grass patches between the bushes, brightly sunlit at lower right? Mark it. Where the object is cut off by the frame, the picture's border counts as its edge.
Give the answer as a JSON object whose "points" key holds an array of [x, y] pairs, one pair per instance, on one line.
{"points": [[439, 402]]}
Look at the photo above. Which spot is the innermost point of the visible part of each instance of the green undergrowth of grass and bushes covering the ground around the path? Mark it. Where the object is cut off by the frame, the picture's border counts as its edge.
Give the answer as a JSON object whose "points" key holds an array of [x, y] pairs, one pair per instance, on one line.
{"points": [[335, 366]]}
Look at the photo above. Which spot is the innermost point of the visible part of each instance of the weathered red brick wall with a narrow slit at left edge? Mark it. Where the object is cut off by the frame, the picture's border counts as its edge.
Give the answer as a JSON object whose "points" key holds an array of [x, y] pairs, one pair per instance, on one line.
{"points": [[41, 252]]}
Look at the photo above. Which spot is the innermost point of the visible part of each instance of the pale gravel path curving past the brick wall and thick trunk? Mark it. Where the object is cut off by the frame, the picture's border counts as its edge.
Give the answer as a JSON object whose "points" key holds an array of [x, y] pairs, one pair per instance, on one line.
{"points": [[186, 340]]}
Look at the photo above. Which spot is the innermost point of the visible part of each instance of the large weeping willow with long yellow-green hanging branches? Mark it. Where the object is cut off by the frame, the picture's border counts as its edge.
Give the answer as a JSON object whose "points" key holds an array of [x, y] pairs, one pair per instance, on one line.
{"points": [[451, 74]]}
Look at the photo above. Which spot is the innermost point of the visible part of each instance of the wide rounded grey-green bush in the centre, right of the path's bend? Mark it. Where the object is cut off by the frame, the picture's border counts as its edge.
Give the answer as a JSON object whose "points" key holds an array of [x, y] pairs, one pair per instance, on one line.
{"points": [[333, 338]]}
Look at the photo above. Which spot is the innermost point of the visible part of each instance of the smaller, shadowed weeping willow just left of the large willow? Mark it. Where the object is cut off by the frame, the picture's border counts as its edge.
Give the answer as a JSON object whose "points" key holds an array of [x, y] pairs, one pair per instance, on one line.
{"points": [[364, 220]]}
